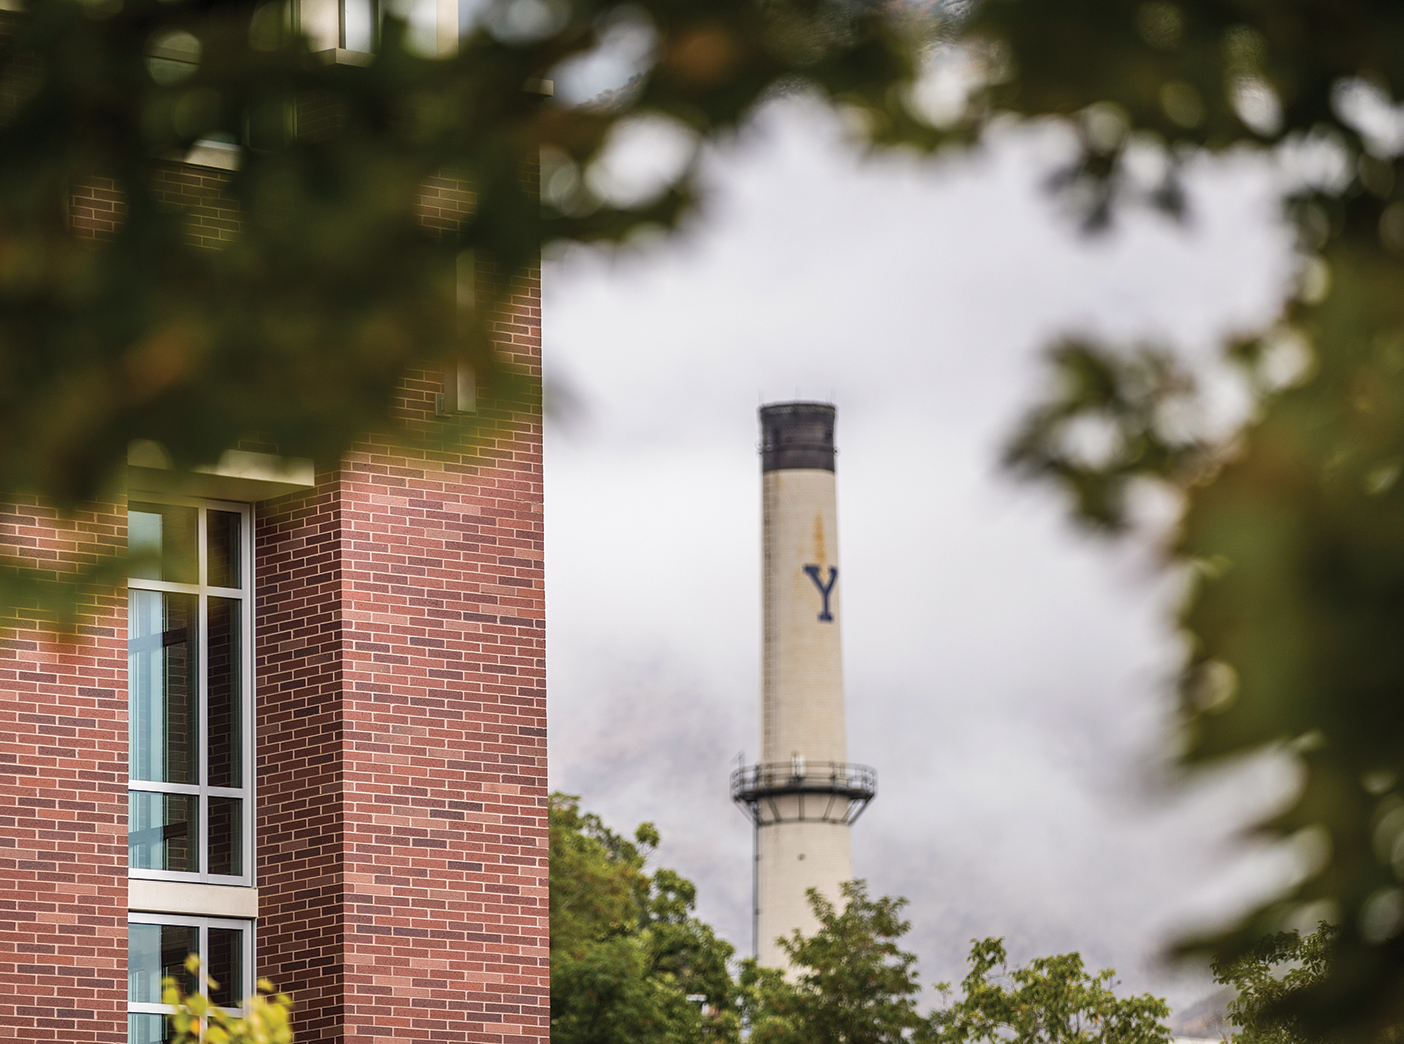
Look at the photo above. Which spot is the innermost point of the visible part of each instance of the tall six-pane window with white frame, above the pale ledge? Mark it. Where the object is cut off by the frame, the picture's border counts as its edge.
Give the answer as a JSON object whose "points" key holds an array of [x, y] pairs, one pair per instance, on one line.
{"points": [[190, 620]]}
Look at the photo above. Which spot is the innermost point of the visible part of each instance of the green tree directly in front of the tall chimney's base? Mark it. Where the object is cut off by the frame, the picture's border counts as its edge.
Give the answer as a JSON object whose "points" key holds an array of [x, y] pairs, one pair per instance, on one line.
{"points": [[850, 983]]}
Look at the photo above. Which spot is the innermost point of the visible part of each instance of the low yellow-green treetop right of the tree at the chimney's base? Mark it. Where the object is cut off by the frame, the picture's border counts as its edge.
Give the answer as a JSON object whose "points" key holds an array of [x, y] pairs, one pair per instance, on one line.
{"points": [[1052, 1001]]}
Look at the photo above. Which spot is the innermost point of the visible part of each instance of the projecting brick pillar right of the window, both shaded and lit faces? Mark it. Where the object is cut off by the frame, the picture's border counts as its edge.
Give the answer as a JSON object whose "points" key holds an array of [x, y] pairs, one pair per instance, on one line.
{"points": [[402, 728]]}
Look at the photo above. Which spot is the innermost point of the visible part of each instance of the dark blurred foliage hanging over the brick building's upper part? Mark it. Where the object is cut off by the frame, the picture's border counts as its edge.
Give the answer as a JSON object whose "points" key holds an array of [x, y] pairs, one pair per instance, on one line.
{"points": [[298, 326]]}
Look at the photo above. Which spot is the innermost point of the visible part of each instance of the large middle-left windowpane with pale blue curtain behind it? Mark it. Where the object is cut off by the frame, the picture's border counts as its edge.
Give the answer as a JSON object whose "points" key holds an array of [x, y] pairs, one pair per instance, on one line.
{"points": [[164, 690]]}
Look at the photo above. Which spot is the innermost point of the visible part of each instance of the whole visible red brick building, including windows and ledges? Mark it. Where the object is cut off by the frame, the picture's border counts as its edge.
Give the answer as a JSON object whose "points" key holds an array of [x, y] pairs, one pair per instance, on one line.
{"points": [[308, 742]]}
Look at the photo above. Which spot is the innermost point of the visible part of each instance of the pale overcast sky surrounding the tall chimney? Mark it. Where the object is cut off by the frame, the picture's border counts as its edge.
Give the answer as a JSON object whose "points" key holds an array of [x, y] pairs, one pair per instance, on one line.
{"points": [[1006, 676]]}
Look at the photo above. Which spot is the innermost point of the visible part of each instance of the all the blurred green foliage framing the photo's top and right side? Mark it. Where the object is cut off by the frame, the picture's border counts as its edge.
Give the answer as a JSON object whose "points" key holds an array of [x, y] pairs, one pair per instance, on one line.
{"points": [[301, 323]]}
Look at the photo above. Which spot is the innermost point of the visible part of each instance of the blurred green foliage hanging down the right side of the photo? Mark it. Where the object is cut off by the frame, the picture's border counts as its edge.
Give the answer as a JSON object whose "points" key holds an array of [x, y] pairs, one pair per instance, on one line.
{"points": [[1291, 526]]}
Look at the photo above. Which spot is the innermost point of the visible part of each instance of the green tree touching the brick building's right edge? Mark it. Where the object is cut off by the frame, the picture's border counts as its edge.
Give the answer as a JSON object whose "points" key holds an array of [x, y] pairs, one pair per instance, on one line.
{"points": [[628, 961]]}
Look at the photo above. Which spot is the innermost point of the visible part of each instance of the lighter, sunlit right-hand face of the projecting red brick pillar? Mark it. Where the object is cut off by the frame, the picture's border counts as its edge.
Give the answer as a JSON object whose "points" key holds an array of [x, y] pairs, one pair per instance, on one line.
{"points": [[446, 742]]}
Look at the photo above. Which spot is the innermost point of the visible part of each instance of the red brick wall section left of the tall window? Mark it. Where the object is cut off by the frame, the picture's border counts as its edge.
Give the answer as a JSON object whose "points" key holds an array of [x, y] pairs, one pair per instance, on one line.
{"points": [[64, 795]]}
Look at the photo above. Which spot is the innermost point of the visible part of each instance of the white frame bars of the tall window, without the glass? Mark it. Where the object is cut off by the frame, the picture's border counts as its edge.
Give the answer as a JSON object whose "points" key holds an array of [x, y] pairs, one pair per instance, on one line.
{"points": [[246, 794]]}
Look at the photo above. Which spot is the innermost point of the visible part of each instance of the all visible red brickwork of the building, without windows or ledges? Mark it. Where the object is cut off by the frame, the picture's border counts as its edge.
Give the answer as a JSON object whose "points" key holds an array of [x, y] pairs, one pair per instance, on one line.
{"points": [[401, 714]]}
